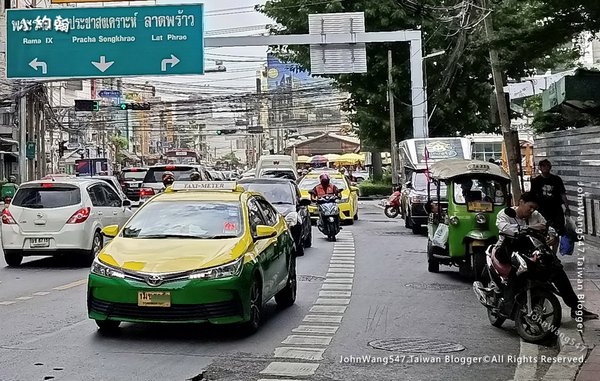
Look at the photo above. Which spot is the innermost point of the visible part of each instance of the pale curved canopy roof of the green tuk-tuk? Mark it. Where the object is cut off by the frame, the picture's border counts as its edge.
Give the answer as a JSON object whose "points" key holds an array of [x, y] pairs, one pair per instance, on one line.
{"points": [[453, 168]]}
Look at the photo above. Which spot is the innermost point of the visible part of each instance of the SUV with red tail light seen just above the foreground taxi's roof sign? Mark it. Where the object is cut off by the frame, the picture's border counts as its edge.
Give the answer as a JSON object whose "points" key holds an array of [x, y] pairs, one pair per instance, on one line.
{"points": [[153, 179]]}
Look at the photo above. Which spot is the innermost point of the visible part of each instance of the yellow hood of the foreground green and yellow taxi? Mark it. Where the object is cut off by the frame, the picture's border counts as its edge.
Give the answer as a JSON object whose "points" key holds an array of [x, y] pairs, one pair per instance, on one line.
{"points": [[171, 255]]}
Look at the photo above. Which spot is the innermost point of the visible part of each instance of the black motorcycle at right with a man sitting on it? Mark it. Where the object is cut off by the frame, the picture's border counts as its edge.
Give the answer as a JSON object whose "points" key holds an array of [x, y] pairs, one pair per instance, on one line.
{"points": [[535, 310]]}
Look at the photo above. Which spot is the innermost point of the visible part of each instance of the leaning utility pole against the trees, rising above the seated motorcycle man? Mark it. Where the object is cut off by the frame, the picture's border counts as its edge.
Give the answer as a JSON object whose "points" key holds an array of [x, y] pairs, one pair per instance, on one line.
{"points": [[512, 147]]}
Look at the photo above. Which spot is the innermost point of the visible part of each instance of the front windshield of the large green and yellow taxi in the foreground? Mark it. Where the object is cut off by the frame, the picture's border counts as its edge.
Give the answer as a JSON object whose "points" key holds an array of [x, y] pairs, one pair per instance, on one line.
{"points": [[186, 219]]}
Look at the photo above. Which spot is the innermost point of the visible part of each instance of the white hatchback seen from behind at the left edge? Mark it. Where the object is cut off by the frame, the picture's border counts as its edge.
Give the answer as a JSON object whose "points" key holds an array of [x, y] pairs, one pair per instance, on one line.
{"points": [[50, 217]]}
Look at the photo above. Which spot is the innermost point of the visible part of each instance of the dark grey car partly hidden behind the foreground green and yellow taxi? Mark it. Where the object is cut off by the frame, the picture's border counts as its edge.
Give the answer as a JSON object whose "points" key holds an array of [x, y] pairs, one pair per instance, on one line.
{"points": [[285, 196]]}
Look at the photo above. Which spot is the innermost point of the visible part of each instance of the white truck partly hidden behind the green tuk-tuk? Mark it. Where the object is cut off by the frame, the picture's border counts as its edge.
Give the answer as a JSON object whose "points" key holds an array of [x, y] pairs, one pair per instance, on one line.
{"points": [[415, 157]]}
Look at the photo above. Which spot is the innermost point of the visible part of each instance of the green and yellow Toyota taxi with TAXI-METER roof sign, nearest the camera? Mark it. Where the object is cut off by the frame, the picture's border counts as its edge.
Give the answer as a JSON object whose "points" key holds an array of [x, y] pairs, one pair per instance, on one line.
{"points": [[198, 252]]}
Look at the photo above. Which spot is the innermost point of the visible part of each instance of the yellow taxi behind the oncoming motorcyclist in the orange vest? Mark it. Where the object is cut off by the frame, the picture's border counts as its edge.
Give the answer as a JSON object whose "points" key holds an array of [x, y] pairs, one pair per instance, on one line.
{"points": [[348, 204]]}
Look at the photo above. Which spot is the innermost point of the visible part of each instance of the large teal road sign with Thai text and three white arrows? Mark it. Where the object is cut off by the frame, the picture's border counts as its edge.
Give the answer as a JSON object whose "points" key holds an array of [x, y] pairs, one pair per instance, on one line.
{"points": [[105, 42]]}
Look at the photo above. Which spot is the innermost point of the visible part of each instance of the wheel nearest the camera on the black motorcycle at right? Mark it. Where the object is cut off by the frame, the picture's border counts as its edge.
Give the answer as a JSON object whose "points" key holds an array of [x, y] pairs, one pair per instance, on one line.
{"points": [[536, 328]]}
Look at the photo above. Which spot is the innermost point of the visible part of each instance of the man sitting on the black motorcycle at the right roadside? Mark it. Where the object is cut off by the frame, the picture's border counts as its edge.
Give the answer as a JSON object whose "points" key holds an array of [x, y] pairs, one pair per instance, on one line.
{"points": [[528, 217]]}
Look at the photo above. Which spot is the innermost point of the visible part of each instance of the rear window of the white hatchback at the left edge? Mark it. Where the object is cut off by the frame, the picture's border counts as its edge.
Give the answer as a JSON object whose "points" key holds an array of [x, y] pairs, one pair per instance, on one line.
{"points": [[44, 198]]}
